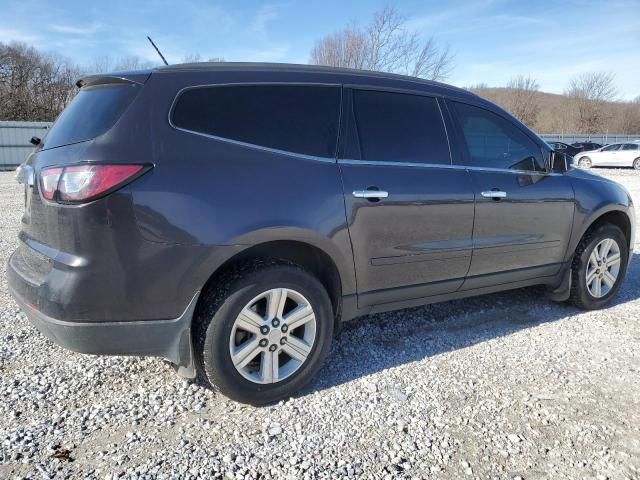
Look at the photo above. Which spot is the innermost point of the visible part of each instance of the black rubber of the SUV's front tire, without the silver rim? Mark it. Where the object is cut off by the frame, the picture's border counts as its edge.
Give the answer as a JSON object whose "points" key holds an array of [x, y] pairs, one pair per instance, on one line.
{"points": [[582, 296]]}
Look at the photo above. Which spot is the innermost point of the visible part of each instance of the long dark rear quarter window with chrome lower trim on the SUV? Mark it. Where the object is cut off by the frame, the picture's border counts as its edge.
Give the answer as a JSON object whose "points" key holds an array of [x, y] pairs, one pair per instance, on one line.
{"points": [[296, 118]]}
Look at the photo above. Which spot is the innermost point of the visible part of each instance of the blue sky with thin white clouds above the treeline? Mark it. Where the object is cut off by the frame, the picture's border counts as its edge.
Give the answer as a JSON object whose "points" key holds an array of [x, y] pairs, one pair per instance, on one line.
{"points": [[493, 40]]}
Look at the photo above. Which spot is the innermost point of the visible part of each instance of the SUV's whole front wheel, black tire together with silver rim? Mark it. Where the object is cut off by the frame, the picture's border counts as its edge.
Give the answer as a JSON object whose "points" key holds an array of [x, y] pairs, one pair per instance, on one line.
{"points": [[599, 266]]}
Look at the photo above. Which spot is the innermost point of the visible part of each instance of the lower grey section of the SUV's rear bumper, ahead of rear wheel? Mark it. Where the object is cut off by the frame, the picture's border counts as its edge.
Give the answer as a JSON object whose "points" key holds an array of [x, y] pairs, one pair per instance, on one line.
{"points": [[169, 339]]}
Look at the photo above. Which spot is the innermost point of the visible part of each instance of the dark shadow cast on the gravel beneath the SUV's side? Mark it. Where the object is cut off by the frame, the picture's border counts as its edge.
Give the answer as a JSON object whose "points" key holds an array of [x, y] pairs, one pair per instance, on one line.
{"points": [[378, 342]]}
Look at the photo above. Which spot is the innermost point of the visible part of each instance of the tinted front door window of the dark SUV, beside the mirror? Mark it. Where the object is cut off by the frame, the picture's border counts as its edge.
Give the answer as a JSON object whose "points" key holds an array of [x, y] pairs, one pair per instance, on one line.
{"points": [[493, 142]]}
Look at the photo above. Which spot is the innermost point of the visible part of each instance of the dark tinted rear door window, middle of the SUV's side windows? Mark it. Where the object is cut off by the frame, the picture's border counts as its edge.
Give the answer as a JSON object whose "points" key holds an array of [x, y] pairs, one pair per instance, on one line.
{"points": [[397, 127]]}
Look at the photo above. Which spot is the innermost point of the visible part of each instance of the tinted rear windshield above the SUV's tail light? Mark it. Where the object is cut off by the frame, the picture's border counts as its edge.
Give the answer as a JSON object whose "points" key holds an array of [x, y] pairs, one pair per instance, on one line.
{"points": [[91, 113]]}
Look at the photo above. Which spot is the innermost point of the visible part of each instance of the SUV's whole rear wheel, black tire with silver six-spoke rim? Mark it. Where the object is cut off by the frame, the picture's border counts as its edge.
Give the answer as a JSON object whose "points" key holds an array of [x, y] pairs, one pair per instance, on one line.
{"points": [[265, 334]]}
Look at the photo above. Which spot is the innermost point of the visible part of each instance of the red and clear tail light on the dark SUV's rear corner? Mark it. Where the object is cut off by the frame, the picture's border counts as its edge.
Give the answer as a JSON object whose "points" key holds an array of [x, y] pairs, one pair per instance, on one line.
{"points": [[83, 183]]}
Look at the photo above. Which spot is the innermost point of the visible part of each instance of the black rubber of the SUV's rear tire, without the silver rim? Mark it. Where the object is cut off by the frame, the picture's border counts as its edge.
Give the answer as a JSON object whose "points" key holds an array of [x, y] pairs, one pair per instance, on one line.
{"points": [[215, 354]]}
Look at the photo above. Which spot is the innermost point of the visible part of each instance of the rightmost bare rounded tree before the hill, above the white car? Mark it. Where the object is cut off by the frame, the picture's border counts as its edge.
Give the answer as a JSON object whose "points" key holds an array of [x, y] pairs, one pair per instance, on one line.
{"points": [[590, 92]]}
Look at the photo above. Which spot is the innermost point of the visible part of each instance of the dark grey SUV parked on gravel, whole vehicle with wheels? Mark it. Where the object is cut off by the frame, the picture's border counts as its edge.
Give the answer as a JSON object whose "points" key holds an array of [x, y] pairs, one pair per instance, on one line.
{"points": [[228, 217]]}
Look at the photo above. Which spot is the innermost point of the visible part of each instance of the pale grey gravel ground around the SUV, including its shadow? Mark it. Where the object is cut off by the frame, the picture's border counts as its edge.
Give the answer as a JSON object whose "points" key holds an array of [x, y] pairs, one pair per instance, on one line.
{"points": [[504, 386]]}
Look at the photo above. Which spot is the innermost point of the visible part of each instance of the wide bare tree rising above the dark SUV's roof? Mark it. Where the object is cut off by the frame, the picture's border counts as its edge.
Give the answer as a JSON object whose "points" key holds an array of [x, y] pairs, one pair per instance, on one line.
{"points": [[384, 45]]}
